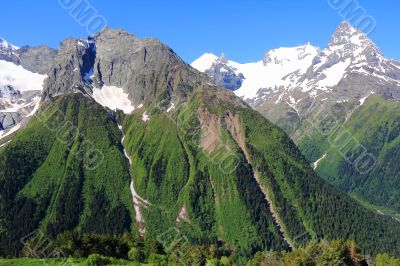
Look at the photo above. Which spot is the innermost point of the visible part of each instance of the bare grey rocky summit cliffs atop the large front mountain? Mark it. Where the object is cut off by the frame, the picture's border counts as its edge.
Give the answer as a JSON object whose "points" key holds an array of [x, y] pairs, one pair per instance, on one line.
{"points": [[144, 68]]}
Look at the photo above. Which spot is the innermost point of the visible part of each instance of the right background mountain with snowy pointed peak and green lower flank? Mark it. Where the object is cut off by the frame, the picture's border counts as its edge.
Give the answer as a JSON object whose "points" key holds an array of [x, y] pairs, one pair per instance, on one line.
{"points": [[320, 95]]}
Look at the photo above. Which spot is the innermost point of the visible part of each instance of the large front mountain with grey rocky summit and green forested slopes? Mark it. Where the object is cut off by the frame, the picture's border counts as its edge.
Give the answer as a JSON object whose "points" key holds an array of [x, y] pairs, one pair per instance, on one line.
{"points": [[182, 154]]}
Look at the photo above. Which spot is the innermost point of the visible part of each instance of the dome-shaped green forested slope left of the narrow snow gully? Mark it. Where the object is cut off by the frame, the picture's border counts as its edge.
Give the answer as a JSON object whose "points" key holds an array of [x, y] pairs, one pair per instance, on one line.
{"points": [[52, 176]]}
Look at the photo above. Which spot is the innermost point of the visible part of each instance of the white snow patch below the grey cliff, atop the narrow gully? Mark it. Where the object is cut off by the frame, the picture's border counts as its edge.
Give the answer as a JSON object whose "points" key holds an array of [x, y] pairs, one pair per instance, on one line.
{"points": [[113, 98]]}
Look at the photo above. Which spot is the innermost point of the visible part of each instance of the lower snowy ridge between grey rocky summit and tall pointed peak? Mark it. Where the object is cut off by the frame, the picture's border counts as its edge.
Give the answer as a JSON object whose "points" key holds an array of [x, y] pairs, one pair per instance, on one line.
{"points": [[278, 68]]}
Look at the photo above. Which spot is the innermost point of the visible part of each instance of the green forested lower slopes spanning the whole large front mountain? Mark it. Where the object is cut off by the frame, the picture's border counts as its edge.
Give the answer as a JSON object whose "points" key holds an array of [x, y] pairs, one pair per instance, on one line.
{"points": [[271, 200]]}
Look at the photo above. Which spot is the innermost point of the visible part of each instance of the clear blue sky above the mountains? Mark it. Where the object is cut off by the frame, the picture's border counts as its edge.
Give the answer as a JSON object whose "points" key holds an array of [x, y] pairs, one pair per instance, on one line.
{"points": [[243, 29]]}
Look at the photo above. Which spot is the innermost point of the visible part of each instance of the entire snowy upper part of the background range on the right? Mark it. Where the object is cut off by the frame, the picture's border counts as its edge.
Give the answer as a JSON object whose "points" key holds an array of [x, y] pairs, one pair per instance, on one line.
{"points": [[349, 68]]}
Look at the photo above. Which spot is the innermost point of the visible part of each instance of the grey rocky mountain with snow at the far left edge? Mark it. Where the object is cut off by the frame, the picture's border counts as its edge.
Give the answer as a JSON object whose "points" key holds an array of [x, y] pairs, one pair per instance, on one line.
{"points": [[22, 73]]}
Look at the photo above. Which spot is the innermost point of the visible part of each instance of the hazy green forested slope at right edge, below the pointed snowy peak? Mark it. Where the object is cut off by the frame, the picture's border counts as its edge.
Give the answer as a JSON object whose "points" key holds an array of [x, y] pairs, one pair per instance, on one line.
{"points": [[376, 127]]}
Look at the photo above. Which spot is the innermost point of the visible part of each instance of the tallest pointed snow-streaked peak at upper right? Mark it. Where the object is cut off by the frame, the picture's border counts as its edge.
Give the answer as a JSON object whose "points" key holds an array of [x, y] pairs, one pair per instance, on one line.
{"points": [[349, 52]]}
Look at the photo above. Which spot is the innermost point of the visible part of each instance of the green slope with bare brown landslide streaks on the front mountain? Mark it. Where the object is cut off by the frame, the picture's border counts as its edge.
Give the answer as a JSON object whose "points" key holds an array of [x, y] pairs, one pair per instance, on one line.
{"points": [[286, 205]]}
